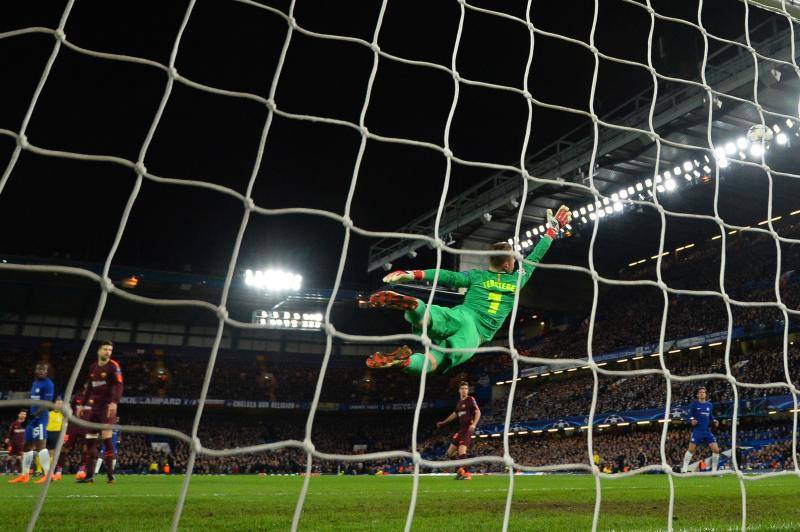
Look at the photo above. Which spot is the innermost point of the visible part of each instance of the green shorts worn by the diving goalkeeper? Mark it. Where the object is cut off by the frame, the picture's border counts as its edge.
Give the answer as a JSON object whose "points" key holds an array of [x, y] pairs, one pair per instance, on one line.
{"points": [[453, 328]]}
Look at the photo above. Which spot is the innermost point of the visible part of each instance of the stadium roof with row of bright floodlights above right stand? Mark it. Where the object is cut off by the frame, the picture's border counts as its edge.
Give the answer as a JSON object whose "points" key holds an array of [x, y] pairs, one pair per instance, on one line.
{"points": [[625, 157]]}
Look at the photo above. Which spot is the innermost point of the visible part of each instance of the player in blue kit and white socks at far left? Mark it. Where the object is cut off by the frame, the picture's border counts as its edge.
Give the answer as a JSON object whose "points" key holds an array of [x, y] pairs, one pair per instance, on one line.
{"points": [[36, 433]]}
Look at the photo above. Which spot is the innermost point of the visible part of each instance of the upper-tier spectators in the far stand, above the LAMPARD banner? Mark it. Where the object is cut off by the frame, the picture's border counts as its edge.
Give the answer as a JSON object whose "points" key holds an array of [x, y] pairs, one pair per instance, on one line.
{"points": [[240, 377]]}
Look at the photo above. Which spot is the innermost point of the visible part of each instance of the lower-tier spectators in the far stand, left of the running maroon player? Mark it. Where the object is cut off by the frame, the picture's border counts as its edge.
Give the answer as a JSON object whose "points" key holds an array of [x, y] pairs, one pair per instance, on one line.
{"points": [[334, 433]]}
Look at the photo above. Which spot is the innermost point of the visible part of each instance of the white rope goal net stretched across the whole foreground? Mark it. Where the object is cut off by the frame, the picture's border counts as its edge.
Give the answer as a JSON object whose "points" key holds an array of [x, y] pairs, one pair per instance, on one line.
{"points": [[781, 8]]}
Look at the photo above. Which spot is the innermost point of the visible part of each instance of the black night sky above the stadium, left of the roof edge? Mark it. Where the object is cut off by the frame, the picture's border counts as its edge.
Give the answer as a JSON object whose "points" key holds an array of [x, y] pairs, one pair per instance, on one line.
{"points": [[54, 205]]}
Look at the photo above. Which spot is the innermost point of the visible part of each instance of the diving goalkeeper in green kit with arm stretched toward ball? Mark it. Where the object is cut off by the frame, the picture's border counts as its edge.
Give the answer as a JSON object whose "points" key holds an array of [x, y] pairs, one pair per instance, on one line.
{"points": [[489, 299]]}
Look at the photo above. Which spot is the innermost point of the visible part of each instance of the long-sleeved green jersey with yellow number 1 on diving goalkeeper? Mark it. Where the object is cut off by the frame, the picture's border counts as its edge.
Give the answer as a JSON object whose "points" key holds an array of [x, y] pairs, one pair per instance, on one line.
{"points": [[490, 295]]}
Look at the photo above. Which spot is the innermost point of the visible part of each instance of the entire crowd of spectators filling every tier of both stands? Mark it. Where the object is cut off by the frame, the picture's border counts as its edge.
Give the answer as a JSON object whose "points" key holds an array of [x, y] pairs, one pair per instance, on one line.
{"points": [[626, 317]]}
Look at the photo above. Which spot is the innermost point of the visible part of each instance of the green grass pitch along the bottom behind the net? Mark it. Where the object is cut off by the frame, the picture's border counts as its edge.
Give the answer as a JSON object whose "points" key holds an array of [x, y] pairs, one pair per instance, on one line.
{"points": [[551, 503]]}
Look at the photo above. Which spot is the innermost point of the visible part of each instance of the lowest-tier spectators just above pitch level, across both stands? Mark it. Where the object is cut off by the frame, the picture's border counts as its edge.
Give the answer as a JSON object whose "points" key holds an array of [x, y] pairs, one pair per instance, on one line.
{"points": [[764, 444]]}
